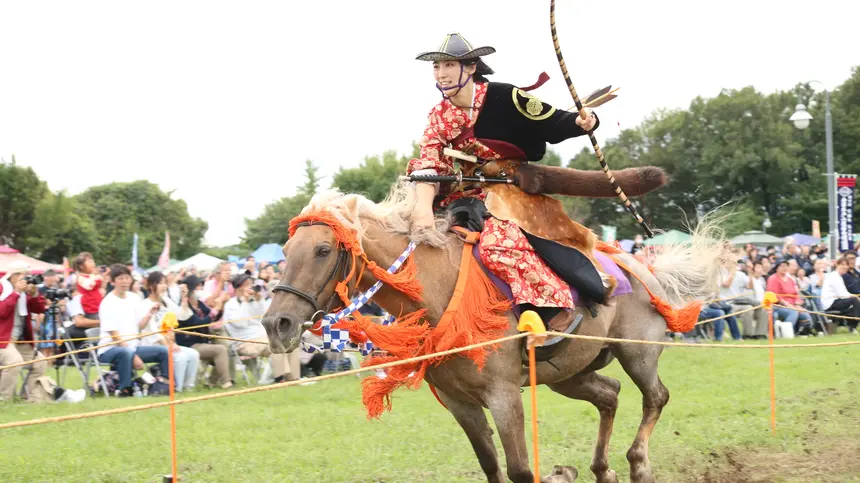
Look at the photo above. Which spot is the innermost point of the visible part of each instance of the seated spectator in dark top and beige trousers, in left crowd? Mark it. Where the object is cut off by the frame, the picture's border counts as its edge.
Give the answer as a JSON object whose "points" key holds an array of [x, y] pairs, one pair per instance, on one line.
{"points": [[210, 351]]}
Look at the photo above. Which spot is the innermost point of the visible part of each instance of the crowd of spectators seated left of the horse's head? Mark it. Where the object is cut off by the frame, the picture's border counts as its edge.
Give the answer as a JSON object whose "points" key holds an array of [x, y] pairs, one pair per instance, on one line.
{"points": [[230, 301]]}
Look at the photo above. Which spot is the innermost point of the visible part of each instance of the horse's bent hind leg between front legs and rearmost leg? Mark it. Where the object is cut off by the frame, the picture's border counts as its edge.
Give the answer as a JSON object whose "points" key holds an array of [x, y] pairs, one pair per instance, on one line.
{"points": [[601, 391]]}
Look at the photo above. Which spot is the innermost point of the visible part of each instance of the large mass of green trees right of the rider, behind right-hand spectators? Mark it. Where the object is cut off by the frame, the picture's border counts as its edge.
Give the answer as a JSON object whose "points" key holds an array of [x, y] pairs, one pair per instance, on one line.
{"points": [[736, 148]]}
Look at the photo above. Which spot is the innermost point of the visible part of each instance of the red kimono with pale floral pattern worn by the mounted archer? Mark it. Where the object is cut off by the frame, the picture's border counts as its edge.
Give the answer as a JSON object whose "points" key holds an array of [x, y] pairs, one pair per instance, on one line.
{"points": [[504, 249]]}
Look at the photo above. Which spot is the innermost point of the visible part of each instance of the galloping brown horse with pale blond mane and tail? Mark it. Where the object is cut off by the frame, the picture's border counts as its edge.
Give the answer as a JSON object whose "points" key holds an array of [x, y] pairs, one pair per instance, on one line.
{"points": [[681, 273]]}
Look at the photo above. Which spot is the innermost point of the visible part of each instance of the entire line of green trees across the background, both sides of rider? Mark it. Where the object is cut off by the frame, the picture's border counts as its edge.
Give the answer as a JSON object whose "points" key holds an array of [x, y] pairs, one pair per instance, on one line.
{"points": [[736, 148]]}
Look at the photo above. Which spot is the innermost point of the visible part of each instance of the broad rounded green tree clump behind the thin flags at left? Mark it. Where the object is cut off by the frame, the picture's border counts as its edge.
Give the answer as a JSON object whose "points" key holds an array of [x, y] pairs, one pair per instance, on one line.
{"points": [[118, 210]]}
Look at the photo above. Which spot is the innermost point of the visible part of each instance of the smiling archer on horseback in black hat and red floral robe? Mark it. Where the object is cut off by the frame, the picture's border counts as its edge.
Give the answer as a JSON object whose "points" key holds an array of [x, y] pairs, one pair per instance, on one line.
{"points": [[495, 122]]}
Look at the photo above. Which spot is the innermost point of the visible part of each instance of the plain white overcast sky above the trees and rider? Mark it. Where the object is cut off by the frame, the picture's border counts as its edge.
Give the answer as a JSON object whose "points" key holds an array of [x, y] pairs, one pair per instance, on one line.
{"points": [[224, 101]]}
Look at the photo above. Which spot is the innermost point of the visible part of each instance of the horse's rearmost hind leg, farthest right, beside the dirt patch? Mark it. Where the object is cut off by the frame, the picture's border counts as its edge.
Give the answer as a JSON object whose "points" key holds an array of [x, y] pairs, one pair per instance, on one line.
{"points": [[640, 363]]}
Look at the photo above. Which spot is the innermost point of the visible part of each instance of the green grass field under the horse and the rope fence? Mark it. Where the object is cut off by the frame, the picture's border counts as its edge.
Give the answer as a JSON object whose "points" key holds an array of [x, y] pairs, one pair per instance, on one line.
{"points": [[715, 429]]}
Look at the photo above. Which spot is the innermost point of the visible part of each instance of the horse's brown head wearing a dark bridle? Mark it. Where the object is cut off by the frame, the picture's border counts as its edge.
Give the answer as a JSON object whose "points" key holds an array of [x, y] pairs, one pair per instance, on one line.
{"points": [[306, 290]]}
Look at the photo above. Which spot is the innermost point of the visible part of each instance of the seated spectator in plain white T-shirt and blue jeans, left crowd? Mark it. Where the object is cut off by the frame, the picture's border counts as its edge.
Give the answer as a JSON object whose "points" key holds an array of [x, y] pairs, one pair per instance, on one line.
{"points": [[117, 322]]}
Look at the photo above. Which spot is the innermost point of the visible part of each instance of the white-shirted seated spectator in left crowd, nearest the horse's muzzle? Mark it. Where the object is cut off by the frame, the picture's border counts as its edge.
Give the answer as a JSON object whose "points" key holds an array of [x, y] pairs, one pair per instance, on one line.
{"points": [[245, 311]]}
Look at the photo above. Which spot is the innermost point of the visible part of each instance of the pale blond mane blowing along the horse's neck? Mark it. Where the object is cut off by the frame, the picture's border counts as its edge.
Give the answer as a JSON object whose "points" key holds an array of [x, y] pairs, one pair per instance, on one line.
{"points": [[393, 215]]}
